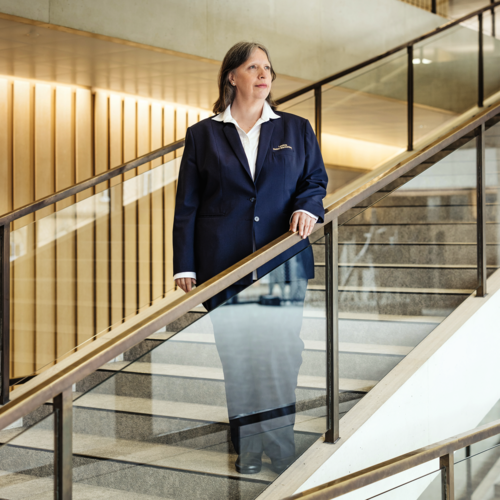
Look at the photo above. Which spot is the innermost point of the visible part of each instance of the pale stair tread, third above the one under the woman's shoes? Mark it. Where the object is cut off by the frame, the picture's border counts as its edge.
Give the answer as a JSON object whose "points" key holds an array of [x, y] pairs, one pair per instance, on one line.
{"points": [[310, 345]]}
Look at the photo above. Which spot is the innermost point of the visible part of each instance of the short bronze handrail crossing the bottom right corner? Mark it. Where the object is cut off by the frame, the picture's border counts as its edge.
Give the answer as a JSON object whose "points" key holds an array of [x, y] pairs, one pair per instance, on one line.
{"points": [[443, 450]]}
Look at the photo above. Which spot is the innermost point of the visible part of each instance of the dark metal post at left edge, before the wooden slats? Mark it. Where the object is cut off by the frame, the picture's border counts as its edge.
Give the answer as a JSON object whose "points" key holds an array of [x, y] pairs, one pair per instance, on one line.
{"points": [[5, 312]]}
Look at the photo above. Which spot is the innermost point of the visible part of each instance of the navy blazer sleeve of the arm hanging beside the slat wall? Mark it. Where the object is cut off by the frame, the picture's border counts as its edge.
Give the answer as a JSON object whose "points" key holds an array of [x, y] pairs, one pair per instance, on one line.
{"points": [[186, 205]]}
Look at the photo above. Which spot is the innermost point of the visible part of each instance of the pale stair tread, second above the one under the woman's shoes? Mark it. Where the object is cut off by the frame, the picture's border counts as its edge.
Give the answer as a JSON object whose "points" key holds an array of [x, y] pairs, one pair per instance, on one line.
{"points": [[214, 373]]}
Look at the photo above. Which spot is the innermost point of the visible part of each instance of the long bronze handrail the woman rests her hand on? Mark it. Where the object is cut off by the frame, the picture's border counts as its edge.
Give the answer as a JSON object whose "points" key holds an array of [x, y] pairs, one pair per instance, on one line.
{"points": [[63, 375]]}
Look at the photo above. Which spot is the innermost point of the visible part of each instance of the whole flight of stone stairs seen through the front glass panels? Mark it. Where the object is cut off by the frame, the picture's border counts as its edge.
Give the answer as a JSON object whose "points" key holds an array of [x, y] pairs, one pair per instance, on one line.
{"points": [[153, 424]]}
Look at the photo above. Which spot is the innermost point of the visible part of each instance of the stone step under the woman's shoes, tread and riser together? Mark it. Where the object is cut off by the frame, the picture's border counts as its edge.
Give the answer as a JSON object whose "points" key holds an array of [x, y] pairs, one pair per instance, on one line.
{"points": [[131, 465]]}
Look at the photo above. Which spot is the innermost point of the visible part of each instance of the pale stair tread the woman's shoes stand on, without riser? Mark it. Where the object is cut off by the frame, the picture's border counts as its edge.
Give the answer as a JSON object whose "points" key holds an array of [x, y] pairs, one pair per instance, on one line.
{"points": [[204, 461]]}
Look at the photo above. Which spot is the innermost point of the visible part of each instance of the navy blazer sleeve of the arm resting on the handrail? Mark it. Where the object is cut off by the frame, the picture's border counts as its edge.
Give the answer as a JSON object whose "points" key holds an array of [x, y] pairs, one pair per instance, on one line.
{"points": [[311, 188]]}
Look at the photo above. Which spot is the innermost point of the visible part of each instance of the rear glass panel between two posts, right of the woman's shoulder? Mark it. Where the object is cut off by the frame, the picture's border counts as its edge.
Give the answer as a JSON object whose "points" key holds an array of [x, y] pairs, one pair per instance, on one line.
{"points": [[364, 119]]}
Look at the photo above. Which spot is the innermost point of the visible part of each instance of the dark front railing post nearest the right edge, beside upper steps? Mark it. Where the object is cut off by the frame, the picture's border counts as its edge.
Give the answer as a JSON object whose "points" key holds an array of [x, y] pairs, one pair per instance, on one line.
{"points": [[481, 212]]}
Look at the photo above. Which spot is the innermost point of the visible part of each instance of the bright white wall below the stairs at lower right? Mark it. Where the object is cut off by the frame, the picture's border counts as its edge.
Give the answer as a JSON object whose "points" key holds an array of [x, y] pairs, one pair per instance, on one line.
{"points": [[450, 393]]}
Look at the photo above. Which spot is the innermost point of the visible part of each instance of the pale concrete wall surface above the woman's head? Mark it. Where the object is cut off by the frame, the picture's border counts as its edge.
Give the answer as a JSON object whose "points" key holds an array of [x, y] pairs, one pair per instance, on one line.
{"points": [[308, 40]]}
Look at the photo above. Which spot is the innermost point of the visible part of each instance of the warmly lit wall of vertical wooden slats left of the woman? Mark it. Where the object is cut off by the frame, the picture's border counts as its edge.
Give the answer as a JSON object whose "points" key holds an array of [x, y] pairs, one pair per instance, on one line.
{"points": [[82, 268]]}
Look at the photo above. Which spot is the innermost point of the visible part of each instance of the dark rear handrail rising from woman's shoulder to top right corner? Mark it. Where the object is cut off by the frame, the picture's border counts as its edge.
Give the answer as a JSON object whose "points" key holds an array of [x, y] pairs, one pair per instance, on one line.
{"points": [[368, 62]]}
